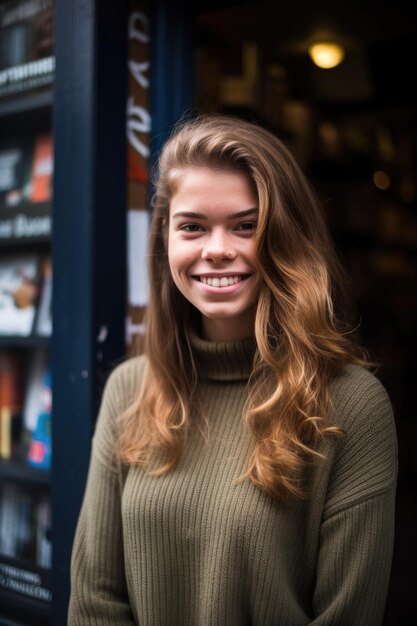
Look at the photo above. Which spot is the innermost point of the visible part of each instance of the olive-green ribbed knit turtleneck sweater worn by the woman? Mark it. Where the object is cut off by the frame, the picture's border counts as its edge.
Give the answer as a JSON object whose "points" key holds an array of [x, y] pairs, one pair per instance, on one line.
{"points": [[195, 547]]}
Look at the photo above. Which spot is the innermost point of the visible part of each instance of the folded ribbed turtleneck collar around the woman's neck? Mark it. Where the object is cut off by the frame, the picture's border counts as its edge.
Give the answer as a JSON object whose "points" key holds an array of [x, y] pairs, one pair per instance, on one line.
{"points": [[227, 360]]}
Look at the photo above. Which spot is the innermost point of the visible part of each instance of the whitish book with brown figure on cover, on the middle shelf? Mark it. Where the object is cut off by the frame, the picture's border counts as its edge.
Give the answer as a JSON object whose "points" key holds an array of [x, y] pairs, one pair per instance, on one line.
{"points": [[19, 293]]}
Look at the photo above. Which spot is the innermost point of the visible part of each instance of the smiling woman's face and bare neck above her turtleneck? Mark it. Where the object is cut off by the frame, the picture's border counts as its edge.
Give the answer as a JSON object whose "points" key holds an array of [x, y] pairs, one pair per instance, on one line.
{"points": [[211, 249]]}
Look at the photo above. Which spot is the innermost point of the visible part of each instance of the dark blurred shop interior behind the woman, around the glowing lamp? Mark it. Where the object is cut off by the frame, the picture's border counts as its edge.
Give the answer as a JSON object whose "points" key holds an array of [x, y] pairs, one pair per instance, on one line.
{"points": [[353, 129]]}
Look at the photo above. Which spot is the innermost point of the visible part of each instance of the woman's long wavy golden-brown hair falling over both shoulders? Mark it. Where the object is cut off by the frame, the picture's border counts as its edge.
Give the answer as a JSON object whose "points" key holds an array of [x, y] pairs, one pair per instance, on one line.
{"points": [[301, 341]]}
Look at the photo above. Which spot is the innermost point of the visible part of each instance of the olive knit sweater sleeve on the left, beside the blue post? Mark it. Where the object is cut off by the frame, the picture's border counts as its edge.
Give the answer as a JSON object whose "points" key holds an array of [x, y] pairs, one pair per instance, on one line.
{"points": [[99, 594]]}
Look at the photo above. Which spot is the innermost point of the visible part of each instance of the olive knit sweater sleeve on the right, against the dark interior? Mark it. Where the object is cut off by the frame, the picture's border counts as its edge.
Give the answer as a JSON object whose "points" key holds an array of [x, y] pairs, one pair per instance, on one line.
{"points": [[357, 530]]}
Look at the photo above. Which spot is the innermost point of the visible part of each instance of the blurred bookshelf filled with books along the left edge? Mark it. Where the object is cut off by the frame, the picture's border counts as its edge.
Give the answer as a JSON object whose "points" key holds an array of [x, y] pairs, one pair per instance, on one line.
{"points": [[26, 173]]}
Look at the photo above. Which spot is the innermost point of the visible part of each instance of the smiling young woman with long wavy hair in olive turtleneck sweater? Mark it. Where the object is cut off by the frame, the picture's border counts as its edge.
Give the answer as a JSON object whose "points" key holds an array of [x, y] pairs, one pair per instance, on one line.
{"points": [[243, 470]]}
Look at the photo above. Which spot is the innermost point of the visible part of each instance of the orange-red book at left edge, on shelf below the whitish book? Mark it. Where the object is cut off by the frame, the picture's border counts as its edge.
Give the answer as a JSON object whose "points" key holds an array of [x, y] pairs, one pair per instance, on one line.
{"points": [[11, 404]]}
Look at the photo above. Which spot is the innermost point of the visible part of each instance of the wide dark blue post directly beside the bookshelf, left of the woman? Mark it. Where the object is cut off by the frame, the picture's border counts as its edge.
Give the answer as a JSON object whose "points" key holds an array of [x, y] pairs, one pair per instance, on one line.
{"points": [[88, 248]]}
